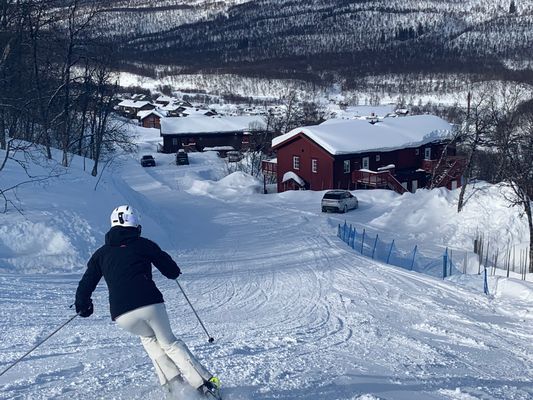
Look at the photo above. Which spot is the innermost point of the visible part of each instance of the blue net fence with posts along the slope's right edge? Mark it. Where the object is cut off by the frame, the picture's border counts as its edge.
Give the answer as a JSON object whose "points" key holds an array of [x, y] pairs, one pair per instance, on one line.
{"points": [[387, 252]]}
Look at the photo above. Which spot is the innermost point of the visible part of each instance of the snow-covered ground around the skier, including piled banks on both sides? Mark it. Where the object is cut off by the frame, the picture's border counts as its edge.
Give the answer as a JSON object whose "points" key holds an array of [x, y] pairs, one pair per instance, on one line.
{"points": [[295, 313]]}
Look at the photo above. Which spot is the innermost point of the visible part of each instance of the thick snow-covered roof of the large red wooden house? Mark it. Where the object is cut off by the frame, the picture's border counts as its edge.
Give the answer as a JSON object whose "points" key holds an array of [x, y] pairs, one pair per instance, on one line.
{"points": [[357, 136]]}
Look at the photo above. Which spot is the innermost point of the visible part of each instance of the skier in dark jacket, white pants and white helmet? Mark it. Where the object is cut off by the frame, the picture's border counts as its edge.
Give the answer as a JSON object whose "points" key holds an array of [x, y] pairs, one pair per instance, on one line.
{"points": [[125, 261]]}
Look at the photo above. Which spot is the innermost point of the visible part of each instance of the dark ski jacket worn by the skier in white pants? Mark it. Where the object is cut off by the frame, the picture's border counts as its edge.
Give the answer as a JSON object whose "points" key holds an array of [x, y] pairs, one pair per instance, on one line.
{"points": [[125, 262]]}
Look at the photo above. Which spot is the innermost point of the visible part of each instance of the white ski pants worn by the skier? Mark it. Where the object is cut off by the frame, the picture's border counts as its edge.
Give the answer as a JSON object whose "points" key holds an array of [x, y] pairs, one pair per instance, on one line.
{"points": [[170, 356]]}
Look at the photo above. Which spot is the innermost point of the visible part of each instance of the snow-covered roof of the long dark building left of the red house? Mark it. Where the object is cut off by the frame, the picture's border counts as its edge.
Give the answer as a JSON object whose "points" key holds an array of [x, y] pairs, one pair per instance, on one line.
{"points": [[215, 124]]}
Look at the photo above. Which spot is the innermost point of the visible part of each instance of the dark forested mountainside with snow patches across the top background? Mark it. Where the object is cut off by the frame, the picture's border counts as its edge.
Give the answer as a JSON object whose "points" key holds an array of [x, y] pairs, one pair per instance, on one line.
{"points": [[283, 38]]}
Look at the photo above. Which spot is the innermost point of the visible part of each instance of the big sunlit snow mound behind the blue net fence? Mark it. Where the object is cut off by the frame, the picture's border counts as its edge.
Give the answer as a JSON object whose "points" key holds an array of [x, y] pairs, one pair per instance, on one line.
{"points": [[431, 215]]}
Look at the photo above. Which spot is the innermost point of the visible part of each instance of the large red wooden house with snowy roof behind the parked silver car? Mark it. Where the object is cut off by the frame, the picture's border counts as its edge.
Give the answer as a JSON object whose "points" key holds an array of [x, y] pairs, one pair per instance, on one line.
{"points": [[401, 154]]}
